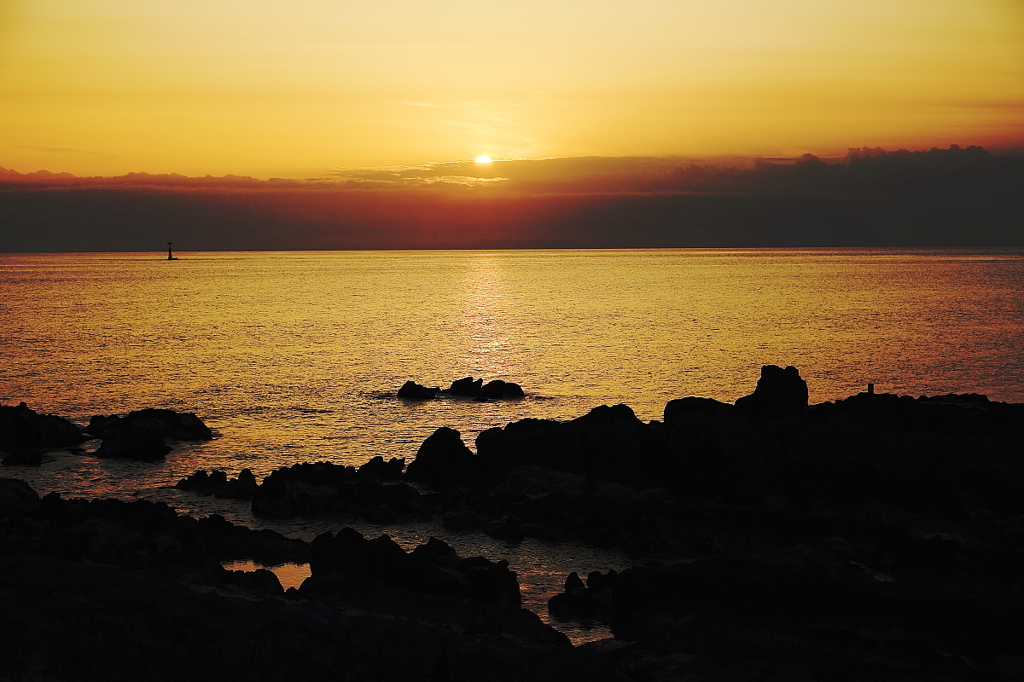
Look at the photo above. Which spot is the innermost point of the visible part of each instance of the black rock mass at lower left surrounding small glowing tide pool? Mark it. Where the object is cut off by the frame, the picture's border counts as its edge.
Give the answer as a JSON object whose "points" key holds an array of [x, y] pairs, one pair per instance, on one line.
{"points": [[113, 590]]}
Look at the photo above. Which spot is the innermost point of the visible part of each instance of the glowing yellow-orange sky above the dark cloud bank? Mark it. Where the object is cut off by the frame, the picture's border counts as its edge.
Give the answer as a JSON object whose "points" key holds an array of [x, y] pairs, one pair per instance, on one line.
{"points": [[291, 90]]}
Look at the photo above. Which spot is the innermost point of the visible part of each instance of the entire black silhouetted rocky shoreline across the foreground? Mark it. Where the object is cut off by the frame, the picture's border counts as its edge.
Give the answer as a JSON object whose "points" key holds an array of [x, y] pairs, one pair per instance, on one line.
{"points": [[875, 538]]}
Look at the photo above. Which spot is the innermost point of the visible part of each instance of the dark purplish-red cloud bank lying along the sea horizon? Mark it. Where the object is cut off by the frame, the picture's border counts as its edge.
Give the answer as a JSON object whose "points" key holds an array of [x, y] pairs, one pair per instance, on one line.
{"points": [[871, 198]]}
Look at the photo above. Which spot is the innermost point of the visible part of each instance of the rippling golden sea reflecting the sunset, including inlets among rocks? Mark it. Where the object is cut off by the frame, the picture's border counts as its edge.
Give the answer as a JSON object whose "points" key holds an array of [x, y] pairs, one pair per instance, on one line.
{"points": [[296, 357]]}
